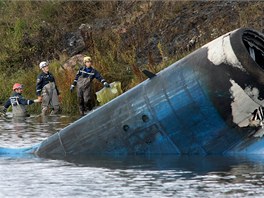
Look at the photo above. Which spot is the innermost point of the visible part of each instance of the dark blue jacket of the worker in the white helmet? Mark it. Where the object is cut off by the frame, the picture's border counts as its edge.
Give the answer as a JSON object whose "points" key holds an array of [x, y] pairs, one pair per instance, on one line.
{"points": [[44, 79]]}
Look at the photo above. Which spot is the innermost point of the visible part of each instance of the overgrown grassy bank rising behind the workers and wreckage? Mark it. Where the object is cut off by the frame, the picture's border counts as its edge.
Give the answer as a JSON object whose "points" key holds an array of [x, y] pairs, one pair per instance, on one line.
{"points": [[125, 37]]}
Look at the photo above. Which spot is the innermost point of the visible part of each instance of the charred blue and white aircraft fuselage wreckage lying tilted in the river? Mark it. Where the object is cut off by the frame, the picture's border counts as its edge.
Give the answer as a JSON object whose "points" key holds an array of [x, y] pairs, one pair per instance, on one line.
{"points": [[209, 102]]}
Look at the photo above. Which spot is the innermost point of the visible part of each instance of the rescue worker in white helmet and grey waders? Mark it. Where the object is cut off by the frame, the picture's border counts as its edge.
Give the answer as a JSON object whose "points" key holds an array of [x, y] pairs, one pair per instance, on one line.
{"points": [[47, 91]]}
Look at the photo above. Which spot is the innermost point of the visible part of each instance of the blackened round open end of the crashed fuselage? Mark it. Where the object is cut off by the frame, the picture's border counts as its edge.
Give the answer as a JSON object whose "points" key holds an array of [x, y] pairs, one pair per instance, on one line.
{"points": [[249, 47]]}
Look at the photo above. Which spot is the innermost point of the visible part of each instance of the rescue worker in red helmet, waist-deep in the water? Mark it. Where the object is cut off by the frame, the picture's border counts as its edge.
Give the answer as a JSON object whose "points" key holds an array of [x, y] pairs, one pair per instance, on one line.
{"points": [[18, 102]]}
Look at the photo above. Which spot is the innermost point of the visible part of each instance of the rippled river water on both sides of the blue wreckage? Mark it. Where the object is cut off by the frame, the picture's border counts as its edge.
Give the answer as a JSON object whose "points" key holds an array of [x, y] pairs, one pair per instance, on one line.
{"points": [[141, 176]]}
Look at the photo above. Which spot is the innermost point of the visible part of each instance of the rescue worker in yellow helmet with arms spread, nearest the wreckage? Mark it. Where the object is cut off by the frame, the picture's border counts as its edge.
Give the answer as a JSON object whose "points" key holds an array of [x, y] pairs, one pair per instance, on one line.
{"points": [[84, 81]]}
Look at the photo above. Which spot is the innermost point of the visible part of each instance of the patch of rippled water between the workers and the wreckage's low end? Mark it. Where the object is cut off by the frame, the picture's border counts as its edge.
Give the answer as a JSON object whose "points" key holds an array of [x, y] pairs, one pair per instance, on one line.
{"points": [[19, 132]]}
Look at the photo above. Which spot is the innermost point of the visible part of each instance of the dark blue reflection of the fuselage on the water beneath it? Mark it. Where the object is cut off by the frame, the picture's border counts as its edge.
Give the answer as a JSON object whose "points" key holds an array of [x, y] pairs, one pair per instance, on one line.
{"points": [[196, 164]]}
